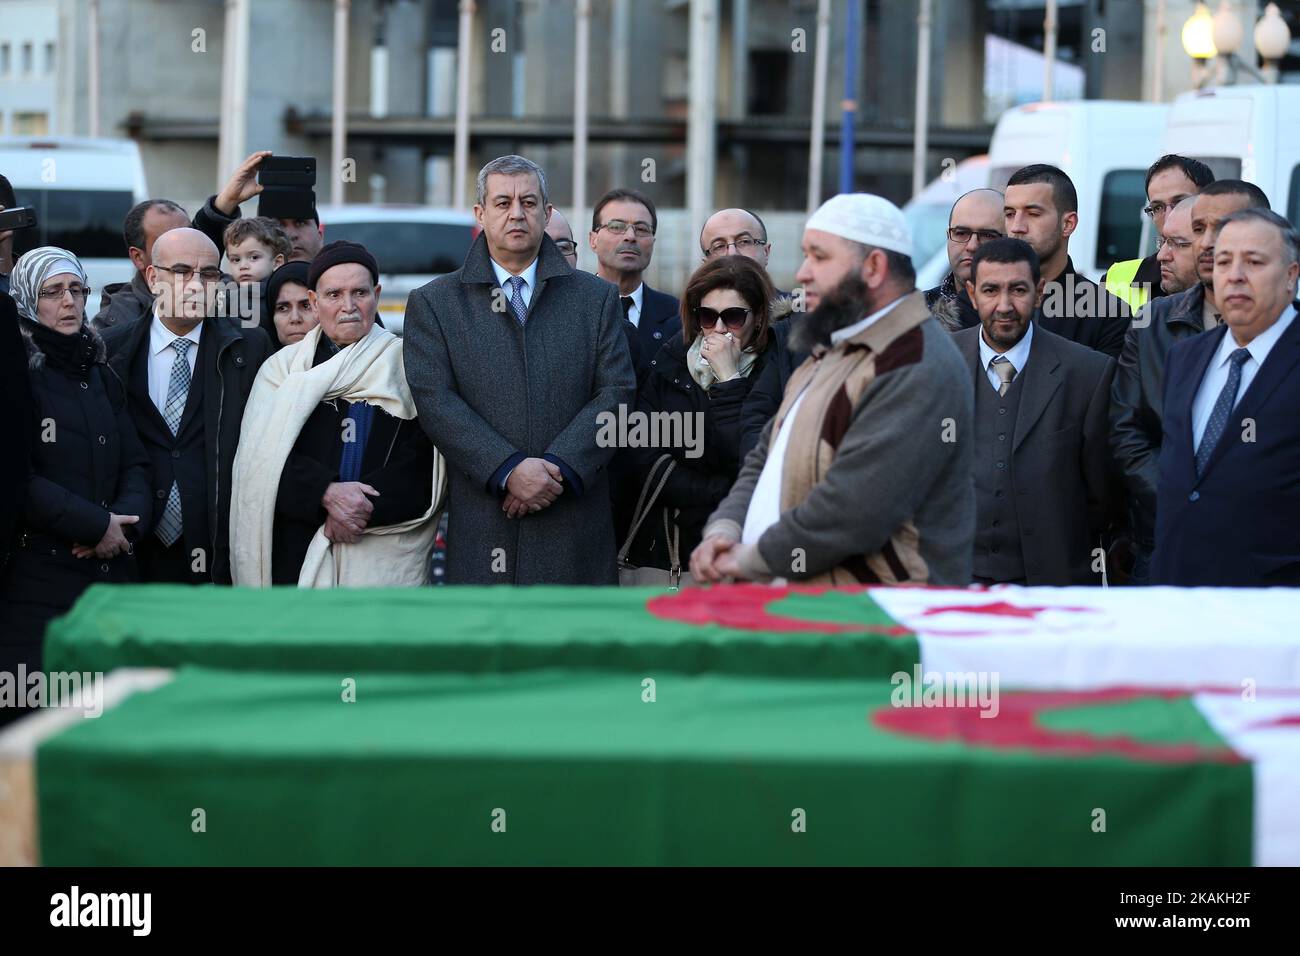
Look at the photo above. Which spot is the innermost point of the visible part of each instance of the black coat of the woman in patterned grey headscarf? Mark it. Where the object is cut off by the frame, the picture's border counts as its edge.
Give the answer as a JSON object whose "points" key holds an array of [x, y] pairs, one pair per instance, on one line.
{"points": [[86, 462]]}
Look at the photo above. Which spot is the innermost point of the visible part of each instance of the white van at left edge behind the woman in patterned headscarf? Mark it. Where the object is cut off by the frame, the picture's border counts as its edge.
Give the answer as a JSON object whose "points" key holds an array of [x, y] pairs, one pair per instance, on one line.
{"points": [[81, 191]]}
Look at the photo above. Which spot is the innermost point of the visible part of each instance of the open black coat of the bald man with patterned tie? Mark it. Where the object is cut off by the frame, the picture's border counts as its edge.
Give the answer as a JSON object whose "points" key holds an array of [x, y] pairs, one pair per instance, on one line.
{"points": [[202, 456]]}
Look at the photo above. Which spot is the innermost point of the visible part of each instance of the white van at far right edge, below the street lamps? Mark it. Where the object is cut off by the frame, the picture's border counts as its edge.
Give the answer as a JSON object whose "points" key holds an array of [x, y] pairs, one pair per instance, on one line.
{"points": [[1243, 133]]}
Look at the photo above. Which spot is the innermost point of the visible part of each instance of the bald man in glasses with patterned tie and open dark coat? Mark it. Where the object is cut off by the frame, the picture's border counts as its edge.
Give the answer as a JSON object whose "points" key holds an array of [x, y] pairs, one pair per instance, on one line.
{"points": [[188, 380]]}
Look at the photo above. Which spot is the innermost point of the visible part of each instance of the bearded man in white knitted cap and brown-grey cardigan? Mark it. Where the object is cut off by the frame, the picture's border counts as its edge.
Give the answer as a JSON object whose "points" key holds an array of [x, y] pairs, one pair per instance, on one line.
{"points": [[865, 471]]}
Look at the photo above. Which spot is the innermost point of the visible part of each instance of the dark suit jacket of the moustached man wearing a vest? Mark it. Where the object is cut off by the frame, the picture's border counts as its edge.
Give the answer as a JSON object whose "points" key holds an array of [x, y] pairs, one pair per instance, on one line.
{"points": [[1061, 470]]}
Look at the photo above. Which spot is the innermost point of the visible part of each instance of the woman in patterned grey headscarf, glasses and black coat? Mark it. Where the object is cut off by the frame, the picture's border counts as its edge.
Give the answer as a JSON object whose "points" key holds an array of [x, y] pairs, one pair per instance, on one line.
{"points": [[89, 482]]}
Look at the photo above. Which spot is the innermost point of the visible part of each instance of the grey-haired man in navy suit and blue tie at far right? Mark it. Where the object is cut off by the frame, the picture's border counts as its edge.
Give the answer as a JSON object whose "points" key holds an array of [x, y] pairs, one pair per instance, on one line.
{"points": [[1229, 488]]}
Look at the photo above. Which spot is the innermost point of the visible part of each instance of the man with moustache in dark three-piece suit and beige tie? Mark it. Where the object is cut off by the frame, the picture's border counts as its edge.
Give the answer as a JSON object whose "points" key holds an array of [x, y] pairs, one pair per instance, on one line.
{"points": [[1043, 481]]}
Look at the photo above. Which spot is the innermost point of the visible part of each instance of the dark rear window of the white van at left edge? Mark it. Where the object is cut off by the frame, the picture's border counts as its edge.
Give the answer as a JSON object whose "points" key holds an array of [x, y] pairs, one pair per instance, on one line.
{"points": [[88, 223]]}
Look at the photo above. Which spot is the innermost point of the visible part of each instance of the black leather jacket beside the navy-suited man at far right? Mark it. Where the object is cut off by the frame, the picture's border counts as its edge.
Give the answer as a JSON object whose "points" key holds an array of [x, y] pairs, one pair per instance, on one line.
{"points": [[1137, 419]]}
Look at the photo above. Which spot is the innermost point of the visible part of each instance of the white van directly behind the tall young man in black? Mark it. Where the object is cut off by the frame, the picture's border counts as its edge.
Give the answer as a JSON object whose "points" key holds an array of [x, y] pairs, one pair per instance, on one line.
{"points": [[1106, 148]]}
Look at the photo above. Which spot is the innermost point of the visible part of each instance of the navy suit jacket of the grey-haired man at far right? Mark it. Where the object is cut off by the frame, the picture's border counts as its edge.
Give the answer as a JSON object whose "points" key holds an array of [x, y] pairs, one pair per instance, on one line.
{"points": [[1237, 525]]}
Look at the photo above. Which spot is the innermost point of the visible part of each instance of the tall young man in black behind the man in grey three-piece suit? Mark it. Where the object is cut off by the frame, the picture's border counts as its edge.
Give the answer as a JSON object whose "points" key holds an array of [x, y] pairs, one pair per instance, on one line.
{"points": [[1043, 209]]}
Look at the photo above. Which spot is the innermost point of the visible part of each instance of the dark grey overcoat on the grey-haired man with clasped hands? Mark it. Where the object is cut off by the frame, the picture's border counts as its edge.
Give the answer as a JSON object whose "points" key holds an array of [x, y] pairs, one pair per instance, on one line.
{"points": [[489, 390]]}
